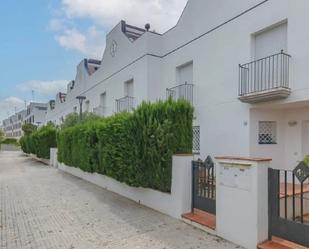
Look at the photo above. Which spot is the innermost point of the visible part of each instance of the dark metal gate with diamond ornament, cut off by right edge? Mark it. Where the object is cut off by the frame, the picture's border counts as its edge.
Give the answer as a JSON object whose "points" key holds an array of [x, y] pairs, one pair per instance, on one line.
{"points": [[289, 204]]}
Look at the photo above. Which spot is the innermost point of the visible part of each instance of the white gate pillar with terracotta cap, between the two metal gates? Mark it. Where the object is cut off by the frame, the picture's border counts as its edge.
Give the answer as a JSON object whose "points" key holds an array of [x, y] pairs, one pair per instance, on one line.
{"points": [[242, 200]]}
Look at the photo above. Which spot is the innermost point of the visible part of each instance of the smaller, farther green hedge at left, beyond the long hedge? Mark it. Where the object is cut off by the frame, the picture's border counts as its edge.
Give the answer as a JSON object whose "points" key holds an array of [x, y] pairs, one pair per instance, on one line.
{"points": [[40, 141]]}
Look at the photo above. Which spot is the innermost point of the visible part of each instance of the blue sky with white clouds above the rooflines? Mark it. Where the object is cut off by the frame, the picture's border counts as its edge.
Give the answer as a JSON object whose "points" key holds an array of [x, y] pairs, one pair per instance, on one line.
{"points": [[42, 41]]}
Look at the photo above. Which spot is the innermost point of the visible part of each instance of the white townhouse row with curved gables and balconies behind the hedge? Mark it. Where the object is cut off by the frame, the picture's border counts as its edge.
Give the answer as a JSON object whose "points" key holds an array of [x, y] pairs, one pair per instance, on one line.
{"points": [[243, 64]]}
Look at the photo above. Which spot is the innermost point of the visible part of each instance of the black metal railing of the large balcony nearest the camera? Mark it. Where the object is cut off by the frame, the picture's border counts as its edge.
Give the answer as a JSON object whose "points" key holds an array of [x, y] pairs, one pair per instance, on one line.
{"points": [[264, 74]]}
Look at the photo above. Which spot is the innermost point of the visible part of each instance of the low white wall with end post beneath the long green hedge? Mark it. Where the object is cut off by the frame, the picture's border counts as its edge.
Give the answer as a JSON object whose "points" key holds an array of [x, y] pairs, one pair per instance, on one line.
{"points": [[174, 204]]}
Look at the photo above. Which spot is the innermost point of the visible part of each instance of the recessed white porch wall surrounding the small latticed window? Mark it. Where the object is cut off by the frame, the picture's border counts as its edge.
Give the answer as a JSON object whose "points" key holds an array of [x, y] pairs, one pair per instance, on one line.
{"points": [[288, 151]]}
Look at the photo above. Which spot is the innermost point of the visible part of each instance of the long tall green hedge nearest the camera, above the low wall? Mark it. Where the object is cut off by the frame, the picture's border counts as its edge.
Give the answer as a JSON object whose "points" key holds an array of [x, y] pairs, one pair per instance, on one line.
{"points": [[135, 148]]}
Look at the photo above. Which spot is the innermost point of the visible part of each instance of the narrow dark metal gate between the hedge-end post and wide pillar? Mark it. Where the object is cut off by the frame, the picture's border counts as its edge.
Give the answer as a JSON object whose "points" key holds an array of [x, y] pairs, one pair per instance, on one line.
{"points": [[204, 185]]}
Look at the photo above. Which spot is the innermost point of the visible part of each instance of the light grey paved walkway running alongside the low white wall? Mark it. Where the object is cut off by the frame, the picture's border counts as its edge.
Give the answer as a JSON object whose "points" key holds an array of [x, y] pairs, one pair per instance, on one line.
{"points": [[41, 207]]}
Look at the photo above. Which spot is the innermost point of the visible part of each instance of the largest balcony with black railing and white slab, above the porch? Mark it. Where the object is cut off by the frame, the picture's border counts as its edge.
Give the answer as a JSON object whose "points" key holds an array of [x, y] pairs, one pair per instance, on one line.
{"points": [[265, 79]]}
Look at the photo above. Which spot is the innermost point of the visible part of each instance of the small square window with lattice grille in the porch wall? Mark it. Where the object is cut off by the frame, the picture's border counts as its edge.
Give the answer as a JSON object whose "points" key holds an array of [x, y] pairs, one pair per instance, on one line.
{"points": [[267, 132]]}
